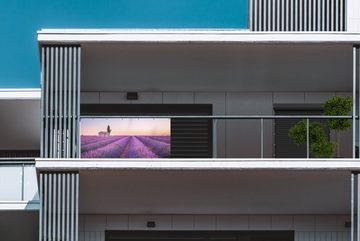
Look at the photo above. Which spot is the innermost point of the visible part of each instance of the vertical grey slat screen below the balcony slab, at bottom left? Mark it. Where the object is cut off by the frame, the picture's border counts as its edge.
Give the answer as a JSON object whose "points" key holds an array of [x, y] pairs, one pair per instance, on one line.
{"points": [[59, 206]]}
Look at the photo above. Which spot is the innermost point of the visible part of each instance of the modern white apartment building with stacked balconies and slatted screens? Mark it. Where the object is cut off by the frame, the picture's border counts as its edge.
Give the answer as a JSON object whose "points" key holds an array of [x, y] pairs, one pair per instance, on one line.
{"points": [[226, 169]]}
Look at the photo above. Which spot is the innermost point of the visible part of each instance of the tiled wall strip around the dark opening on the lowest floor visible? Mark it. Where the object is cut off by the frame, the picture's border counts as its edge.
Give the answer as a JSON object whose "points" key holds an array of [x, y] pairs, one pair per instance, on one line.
{"points": [[304, 225]]}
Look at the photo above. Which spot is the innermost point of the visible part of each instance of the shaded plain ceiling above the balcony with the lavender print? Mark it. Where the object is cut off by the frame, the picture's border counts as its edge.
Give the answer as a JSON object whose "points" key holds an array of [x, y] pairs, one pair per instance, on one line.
{"points": [[216, 67]]}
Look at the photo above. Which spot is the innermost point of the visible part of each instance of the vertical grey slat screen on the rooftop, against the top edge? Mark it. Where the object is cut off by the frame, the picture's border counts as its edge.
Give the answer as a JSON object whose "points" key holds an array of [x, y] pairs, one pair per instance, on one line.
{"points": [[297, 15]]}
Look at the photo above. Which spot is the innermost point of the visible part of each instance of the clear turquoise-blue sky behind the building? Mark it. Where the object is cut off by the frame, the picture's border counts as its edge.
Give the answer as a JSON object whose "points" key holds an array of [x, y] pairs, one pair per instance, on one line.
{"points": [[20, 19]]}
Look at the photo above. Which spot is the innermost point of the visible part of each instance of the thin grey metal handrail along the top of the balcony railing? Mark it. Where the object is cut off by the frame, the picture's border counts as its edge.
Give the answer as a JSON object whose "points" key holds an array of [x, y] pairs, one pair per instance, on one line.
{"points": [[217, 117]]}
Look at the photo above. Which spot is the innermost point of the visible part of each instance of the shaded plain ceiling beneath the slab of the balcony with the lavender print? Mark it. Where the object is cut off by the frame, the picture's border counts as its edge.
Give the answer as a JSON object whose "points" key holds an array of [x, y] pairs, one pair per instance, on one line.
{"points": [[206, 192]]}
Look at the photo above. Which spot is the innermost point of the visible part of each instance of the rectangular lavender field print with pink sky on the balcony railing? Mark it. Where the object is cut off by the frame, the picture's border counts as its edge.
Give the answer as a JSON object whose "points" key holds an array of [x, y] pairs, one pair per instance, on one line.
{"points": [[125, 138]]}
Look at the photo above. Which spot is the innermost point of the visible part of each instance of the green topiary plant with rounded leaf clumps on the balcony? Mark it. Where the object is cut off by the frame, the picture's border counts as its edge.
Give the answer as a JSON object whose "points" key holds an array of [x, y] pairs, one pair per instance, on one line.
{"points": [[320, 145]]}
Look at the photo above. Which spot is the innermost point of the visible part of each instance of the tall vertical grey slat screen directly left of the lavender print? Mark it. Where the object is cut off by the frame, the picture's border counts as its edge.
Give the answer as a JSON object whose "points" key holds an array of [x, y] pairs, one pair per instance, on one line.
{"points": [[60, 101]]}
